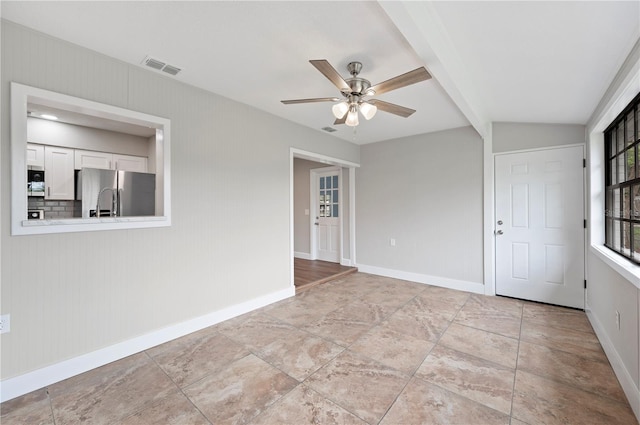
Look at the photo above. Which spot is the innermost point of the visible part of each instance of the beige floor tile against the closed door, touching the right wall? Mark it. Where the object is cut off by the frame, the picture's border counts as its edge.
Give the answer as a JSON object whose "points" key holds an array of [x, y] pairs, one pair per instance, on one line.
{"points": [[556, 317]]}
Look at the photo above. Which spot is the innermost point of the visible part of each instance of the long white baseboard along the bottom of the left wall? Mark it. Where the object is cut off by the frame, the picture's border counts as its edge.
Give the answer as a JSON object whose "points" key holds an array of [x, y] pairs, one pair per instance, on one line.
{"points": [[31, 381]]}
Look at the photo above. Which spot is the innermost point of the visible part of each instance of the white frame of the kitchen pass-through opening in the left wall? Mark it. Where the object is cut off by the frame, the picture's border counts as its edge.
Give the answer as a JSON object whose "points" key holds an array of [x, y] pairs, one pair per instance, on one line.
{"points": [[91, 115]]}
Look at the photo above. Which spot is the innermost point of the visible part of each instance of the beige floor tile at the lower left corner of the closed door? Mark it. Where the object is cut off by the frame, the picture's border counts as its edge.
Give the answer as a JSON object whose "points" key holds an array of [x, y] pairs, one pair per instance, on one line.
{"points": [[493, 314]]}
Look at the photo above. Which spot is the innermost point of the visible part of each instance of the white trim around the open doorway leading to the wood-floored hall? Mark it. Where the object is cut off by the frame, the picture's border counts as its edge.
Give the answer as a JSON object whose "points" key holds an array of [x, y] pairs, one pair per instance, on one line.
{"points": [[330, 161]]}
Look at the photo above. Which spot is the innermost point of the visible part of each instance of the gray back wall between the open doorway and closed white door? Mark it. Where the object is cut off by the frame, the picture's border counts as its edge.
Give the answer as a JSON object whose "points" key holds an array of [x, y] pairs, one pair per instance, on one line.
{"points": [[426, 192]]}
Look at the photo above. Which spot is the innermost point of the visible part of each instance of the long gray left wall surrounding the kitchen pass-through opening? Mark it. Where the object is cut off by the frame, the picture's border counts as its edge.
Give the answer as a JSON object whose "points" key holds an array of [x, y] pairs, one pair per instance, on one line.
{"points": [[69, 294]]}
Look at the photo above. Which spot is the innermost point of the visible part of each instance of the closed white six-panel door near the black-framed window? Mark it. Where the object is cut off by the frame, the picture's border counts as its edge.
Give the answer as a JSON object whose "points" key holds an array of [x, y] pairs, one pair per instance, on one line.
{"points": [[540, 226]]}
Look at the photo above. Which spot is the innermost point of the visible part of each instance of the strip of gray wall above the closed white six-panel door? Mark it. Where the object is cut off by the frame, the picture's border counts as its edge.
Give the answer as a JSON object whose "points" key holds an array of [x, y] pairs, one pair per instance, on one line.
{"points": [[518, 136]]}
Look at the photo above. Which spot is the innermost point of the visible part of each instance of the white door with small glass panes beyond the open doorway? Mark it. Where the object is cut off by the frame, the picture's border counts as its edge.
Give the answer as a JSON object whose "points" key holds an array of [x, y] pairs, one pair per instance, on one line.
{"points": [[327, 215]]}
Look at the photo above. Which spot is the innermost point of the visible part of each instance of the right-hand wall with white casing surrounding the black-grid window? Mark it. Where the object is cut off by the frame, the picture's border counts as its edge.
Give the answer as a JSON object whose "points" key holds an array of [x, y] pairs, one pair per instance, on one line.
{"points": [[608, 290]]}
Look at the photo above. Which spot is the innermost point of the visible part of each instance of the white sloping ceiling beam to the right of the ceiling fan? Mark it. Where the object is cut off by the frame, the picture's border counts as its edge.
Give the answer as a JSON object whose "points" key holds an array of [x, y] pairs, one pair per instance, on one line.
{"points": [[420, 24]]}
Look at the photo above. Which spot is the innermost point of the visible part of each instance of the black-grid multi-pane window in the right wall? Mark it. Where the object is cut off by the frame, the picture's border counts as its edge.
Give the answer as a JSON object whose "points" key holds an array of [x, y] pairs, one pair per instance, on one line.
{"points": [[622, 181]]}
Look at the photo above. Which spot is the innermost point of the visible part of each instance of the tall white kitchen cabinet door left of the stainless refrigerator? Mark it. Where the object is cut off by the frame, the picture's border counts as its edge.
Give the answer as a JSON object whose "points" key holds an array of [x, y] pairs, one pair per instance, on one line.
{"points": [[59, 170]]}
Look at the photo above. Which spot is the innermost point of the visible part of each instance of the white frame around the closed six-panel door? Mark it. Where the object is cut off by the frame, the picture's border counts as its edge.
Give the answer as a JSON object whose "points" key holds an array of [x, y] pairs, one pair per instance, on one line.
{"points": [[489, 191]]}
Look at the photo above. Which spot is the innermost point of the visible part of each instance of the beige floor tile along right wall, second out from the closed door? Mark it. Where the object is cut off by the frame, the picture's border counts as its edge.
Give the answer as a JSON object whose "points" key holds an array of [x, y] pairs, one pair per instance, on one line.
{"points": [[581, 343]]}
